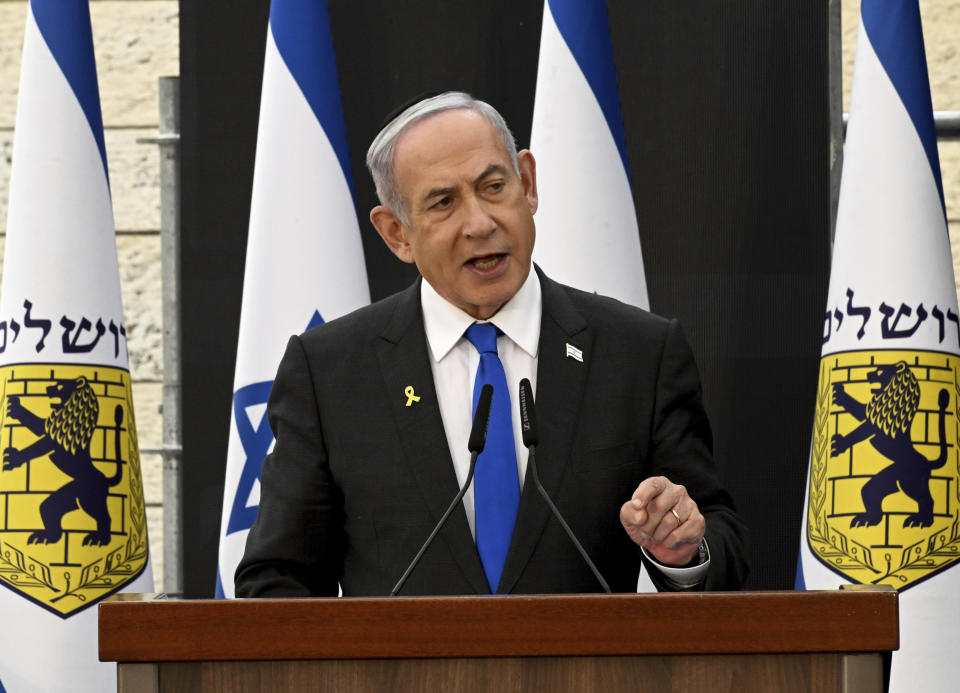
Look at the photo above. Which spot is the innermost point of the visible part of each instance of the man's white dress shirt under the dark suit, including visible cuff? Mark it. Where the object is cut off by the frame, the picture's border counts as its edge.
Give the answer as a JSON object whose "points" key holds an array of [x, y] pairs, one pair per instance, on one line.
{"points": [[454, 362]]}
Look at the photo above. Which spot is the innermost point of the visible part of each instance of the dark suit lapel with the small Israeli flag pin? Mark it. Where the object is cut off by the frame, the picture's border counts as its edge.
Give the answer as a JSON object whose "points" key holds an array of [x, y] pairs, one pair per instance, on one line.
{"points": [[560, 385]]}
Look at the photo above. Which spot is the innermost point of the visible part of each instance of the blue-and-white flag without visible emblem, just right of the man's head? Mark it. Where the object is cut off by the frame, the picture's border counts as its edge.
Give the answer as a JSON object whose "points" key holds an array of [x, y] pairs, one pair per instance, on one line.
{"points": [[587, 233]]}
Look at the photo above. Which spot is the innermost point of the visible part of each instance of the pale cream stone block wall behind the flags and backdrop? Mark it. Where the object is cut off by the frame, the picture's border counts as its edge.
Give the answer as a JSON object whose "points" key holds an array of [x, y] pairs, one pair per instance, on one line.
{"points": [[137, 42]]}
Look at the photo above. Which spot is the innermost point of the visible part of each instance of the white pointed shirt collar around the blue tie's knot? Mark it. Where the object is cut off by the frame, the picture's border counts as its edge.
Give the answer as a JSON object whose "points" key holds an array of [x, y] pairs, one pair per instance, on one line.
{"points": [[518, 319]]}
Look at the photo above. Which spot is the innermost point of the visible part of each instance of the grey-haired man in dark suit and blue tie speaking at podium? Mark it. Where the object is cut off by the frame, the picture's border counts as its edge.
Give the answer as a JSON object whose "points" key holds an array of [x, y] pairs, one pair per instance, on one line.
{"points": [[371, 412]]}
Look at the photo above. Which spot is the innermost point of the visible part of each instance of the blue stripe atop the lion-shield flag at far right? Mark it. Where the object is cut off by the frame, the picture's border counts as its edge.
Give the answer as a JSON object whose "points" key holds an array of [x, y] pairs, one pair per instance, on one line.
{"points": [[896, 34]]}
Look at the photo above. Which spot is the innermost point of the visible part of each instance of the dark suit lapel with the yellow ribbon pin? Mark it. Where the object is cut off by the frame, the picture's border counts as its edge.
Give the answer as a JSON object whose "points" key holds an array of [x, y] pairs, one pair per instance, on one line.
{"points": [[404, 362]]}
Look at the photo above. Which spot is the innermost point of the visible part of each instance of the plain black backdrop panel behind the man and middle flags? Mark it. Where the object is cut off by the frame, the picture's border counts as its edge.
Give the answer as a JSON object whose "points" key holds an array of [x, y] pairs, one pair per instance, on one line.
{"points": [[725, 109]]}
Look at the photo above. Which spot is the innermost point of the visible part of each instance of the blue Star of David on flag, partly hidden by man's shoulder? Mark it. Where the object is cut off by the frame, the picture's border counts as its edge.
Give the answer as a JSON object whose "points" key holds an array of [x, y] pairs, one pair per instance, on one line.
{"points": [[256, 442]]}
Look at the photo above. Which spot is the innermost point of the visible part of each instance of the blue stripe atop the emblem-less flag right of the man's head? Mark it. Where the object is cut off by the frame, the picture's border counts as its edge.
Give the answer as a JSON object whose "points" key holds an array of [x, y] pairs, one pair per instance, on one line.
{"points": [[583, 25]]}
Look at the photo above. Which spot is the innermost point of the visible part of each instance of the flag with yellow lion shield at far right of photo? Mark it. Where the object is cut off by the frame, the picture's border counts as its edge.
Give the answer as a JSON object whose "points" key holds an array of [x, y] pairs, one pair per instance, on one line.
{"points": [[883, 500]]}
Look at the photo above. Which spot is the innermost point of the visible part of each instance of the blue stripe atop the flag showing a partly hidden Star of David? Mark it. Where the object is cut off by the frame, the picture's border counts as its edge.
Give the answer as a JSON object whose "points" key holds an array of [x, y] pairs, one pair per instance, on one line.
{"points": [[301, 30]]}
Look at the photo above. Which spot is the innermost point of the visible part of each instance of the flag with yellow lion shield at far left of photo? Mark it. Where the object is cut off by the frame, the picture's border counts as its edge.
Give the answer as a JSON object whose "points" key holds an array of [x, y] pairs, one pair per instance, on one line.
{"points": [[72, 518]]}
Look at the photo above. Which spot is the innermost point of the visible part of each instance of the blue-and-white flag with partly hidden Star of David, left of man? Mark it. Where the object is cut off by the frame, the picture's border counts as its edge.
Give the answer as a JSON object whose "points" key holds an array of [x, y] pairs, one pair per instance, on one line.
{"points": [[304, 258]]}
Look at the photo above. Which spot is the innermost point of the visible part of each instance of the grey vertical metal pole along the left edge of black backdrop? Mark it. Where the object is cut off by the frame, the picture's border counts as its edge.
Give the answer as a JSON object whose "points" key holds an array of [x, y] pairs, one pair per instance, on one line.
{"points": [[168, 139]]}
